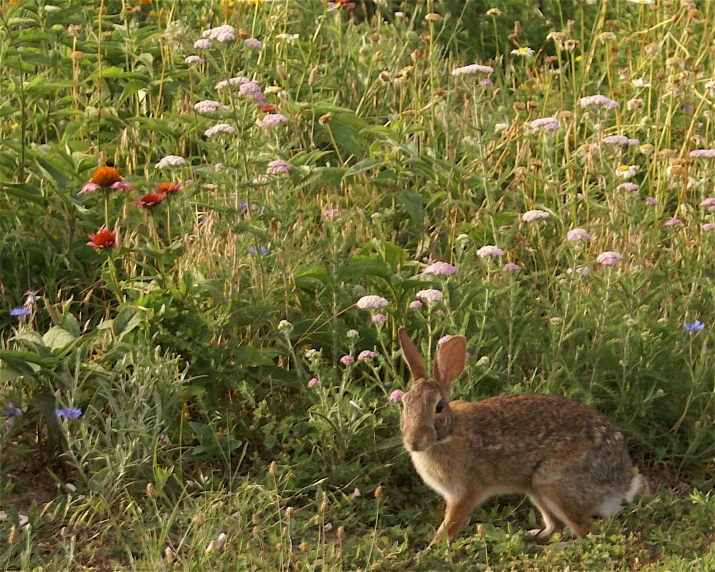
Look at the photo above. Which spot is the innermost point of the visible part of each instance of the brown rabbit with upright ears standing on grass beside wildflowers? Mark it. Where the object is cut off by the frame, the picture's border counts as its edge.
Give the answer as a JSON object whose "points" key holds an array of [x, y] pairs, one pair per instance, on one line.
{"points": [[569, 459]]}
